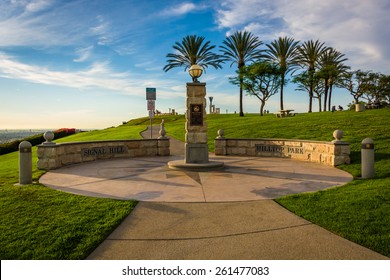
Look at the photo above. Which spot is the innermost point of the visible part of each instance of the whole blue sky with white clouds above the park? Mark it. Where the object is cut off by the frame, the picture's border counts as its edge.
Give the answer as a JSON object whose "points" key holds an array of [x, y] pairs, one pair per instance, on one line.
{"points": [[87, 63]]}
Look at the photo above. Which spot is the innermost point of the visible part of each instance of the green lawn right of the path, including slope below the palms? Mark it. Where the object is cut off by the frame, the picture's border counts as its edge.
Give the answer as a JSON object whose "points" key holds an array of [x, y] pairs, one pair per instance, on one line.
{"points": [[358, 211]]}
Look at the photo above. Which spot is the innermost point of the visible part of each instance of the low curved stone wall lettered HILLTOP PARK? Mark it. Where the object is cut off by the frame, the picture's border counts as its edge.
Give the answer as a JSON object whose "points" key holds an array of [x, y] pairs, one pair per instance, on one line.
{"points": [[328, 153]]}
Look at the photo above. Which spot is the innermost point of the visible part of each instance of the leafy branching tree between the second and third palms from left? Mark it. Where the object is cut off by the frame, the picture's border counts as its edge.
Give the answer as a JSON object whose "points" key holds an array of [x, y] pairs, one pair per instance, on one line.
{"points": [[261, 79]]}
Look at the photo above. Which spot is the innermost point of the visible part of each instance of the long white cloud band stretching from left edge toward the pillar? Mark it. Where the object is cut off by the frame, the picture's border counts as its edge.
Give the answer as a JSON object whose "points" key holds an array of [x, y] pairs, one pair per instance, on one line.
{"points": [[97, 76]]}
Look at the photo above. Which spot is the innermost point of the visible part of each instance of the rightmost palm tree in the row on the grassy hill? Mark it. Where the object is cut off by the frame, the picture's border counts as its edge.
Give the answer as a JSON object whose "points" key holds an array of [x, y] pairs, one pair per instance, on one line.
{"points": [[331, 66]]}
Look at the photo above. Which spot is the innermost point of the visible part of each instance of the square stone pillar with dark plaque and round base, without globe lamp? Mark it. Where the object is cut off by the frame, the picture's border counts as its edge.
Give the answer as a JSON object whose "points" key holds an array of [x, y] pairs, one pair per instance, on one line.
{"points": [[196, 147]]}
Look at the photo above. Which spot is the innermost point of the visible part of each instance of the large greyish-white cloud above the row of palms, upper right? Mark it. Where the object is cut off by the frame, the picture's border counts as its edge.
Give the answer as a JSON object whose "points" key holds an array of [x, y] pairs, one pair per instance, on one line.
{"points": [[357, 28]]}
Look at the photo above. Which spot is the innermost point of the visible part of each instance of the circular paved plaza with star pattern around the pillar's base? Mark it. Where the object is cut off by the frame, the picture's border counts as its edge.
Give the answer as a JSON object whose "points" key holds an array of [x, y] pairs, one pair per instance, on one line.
{"points": [[150, 179]]}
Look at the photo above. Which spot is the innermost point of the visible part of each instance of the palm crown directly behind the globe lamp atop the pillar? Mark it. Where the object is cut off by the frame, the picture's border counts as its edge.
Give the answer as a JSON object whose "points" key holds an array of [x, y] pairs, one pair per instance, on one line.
{"points": [[193, 50]]}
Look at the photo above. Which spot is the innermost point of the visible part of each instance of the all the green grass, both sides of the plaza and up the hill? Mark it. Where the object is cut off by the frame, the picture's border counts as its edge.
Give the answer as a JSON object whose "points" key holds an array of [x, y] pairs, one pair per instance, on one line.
{"points": [[41, 223]]}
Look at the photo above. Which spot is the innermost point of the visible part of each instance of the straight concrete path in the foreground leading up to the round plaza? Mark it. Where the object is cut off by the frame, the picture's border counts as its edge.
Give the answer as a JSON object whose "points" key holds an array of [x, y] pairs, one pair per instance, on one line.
{"points": [[237, 231]]}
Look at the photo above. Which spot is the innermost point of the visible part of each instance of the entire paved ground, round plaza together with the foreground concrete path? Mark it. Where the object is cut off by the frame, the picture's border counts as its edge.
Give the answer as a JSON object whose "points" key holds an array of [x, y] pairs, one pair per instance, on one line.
{"points": [[239, 220]]}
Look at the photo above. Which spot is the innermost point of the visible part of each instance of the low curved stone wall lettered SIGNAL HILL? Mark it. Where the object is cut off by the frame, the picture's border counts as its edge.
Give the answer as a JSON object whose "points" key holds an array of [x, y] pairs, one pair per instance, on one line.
{"points": [[53, 156]]}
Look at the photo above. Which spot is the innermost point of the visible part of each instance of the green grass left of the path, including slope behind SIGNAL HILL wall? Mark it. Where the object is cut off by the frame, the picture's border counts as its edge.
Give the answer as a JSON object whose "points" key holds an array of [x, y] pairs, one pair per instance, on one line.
{"points": [[40, 223]]}
